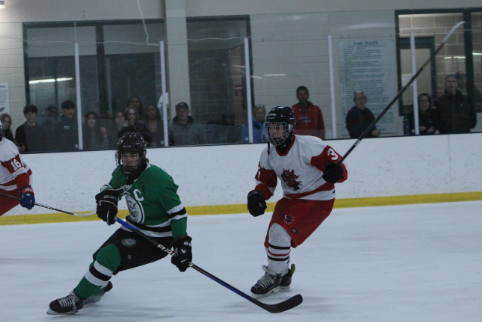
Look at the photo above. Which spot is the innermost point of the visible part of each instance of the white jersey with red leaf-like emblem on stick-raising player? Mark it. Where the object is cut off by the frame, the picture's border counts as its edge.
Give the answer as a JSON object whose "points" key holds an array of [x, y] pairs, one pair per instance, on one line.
{"points": [[299, 169]]}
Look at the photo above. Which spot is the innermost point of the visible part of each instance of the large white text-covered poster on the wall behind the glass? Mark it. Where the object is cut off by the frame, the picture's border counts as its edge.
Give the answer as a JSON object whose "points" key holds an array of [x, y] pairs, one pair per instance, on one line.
{"points": [[370, 66]]}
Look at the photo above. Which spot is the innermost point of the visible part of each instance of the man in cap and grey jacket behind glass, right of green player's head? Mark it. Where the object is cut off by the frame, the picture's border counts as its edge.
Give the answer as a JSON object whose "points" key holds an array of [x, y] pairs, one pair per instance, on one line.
{"points": [[183, 129]]}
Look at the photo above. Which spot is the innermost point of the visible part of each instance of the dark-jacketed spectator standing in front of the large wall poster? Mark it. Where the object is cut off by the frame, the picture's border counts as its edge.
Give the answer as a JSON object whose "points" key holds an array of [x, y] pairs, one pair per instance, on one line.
{"points": [[360, 117]]}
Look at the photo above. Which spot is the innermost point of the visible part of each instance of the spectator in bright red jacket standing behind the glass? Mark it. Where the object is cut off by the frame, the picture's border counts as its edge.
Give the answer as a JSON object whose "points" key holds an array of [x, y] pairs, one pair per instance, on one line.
{"points": [[308, 117]]}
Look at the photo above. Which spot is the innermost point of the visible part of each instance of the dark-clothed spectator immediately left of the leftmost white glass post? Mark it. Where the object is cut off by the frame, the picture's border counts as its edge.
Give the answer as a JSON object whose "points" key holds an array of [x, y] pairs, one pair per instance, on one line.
{"points": [[66, 131]]}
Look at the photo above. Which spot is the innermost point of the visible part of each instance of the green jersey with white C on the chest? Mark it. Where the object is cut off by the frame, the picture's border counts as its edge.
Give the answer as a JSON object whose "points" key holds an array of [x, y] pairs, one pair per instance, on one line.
{"points": [[153, 203]]}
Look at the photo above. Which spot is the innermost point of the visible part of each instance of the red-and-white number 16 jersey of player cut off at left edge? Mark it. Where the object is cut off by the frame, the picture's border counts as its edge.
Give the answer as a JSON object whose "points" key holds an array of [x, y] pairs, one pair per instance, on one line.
{"points": [[14, 174]]}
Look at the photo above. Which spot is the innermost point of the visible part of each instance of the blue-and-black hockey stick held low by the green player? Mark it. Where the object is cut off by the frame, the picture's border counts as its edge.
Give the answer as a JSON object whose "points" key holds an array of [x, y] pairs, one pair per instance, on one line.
{"points": [[272, 308]]}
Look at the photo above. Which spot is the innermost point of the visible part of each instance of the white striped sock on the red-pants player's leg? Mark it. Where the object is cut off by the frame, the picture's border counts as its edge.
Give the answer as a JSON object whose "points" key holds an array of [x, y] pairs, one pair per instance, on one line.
{"points": [[278, 251]]}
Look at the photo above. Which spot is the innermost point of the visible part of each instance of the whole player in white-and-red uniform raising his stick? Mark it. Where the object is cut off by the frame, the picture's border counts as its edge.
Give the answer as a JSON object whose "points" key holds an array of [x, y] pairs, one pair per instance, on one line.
{"points": [[307, 169]]}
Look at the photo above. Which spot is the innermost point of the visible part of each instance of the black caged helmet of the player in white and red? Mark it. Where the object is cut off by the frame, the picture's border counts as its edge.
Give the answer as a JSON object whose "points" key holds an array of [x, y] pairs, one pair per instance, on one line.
{"points": [[279, 117]]}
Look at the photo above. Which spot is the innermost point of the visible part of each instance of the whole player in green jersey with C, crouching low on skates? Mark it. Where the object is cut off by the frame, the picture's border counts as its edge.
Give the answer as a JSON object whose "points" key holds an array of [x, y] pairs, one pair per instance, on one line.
{"points": [[154, 208]]}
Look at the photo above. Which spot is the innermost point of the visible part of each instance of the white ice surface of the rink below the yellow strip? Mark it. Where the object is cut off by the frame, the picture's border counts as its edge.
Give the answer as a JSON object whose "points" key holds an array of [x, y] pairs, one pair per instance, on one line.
{"points": [[393, 263]]}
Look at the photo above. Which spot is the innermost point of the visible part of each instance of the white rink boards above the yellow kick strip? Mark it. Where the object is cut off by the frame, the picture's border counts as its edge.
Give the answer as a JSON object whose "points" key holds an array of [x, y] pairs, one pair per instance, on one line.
{"points": [[223, 175]]}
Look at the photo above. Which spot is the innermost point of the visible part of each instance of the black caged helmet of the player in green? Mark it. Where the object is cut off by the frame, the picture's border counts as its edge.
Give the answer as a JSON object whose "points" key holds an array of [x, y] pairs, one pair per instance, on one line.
{"points": [[132, 142]]}
